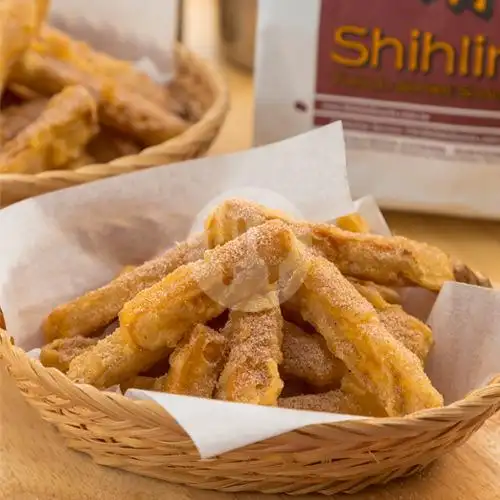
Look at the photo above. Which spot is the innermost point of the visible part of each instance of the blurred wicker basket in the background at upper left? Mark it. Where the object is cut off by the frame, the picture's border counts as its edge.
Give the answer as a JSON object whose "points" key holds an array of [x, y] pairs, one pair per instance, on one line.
{"points": [[201, 89]]}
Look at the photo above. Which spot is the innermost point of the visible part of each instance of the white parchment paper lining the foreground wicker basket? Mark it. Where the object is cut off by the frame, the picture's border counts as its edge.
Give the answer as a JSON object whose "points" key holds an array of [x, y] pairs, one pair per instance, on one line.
{"points": [[58, 246]]}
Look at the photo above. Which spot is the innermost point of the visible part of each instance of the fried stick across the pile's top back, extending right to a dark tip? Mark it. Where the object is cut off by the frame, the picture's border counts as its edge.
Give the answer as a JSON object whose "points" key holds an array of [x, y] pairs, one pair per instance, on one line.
{"points": [[392, 261]]}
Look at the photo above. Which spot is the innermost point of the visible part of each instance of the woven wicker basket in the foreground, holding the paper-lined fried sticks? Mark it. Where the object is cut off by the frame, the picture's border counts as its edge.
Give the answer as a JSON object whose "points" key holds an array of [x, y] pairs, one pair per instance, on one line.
{"points": [[142, 437]]}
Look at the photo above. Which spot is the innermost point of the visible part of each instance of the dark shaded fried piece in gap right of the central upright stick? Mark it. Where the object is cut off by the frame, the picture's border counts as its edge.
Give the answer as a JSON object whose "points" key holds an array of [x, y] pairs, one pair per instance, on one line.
{"points": [[306, 357]]}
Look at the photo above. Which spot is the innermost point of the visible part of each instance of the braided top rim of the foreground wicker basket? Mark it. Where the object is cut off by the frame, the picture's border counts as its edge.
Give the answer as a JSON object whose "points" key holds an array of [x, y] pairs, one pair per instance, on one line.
{"points": [[475, 402]]}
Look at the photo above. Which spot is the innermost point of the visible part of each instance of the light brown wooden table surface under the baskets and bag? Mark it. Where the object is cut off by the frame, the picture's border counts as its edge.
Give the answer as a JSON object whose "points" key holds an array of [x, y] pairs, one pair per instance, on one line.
{"points": [[35, 465]]}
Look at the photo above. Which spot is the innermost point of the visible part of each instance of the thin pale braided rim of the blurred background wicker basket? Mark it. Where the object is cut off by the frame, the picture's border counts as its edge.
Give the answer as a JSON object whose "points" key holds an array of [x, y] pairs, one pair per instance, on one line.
{"points": [[219, 107]]}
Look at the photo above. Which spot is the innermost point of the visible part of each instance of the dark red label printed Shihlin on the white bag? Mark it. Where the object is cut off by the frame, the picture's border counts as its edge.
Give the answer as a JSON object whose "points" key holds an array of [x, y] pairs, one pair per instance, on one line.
{"points": [[420, 68]]}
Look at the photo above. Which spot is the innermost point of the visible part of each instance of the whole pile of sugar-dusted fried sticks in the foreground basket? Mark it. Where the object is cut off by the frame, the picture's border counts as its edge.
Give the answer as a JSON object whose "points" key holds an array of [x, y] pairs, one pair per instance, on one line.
{"points": [[259, 309]]}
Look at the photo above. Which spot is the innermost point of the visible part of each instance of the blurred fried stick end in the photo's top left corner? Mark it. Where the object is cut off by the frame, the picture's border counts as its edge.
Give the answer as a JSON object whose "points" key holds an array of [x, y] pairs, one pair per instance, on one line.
{"points": [[19, 24]]}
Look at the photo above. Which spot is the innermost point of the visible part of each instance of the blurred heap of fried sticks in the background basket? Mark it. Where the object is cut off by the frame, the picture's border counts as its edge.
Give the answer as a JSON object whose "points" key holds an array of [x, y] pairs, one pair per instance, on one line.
{"points": [[38, 65]]}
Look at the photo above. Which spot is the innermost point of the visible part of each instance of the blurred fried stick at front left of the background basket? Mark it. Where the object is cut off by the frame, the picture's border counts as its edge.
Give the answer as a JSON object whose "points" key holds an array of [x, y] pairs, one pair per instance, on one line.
{"points": [[58, 136]]}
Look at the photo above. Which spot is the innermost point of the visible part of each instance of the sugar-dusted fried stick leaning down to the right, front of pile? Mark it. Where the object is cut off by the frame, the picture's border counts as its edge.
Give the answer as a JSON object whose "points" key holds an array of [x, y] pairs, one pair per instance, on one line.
{"points": [[354, 334]]}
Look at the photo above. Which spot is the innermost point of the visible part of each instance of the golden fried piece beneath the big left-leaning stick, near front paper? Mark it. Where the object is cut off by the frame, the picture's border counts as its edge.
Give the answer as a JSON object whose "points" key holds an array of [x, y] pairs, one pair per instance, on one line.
{"points": [[113, 360]]}
